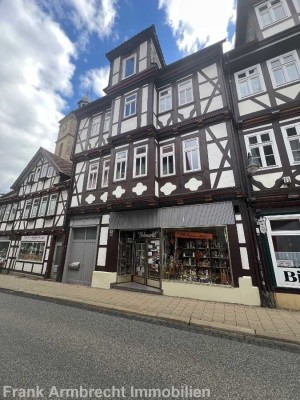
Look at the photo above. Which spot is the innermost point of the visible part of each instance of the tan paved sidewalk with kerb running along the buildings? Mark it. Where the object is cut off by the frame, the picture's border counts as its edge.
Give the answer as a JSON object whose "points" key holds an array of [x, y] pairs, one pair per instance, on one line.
{"points": [[245, 321]]}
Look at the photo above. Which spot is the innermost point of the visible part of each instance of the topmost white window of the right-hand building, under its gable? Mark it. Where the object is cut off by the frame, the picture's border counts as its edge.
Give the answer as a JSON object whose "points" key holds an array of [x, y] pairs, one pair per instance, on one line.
{"points": [[270, 12]]}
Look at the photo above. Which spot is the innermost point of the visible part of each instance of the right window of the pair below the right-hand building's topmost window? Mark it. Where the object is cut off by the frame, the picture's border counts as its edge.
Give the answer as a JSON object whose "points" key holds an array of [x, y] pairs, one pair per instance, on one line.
{"points": [[284, 69]]}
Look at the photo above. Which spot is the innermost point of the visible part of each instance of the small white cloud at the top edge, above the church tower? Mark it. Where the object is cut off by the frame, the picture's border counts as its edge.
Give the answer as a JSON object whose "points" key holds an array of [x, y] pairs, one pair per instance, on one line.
{"points": [[97, 16]]}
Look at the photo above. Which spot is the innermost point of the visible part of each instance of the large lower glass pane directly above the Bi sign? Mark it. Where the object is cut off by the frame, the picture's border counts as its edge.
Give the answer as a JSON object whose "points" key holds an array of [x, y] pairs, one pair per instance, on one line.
{"points": [[287, 250]]}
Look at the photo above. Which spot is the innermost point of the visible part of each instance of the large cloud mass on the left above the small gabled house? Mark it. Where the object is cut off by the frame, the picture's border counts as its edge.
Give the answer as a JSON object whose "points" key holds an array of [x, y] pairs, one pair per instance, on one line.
{"points": [[35, 75]]}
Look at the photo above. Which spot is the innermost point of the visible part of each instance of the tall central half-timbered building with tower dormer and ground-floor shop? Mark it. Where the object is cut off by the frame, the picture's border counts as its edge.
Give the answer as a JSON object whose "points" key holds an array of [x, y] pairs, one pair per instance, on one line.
{"points": [[157, 192]]}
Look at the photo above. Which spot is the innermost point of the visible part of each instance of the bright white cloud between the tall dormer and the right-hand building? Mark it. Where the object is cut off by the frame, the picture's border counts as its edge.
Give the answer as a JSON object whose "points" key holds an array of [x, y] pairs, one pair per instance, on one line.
{"points": [[198, 23]]}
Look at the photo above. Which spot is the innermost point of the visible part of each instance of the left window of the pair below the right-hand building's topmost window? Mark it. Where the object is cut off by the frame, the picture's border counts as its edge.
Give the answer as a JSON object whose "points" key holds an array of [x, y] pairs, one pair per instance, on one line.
{"points": [[249, 81]]}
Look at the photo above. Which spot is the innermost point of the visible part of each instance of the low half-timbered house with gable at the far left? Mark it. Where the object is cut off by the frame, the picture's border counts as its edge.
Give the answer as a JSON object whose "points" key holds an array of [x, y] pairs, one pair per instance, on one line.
{"points": [[33, 217]]}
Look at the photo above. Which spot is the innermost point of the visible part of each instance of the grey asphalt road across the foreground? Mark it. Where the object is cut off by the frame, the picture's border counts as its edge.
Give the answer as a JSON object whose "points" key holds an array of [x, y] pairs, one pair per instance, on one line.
{"points": [[51, 347]]}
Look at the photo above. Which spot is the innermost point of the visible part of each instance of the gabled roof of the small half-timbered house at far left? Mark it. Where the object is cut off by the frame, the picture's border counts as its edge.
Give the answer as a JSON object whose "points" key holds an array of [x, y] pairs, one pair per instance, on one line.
{"points": [[61, 166]]}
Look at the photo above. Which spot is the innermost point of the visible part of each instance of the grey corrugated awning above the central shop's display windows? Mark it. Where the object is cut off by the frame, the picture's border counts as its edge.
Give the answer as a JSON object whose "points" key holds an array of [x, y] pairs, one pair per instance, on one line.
{"points": [[174, 217]]}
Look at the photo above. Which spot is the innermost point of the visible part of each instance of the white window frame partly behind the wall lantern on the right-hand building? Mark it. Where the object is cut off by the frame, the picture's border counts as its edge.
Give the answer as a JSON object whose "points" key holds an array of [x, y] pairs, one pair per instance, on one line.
{"points": [[261, 144]]}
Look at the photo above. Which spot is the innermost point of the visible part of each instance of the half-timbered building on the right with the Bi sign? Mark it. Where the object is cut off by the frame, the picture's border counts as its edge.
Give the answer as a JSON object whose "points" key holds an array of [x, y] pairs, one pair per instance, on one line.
{"points": [[264, 80]]}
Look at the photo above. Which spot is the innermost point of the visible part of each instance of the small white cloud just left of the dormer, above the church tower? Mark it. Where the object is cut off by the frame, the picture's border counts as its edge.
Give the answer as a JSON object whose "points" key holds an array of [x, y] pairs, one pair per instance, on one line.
{"points": [[95, 80]]}
